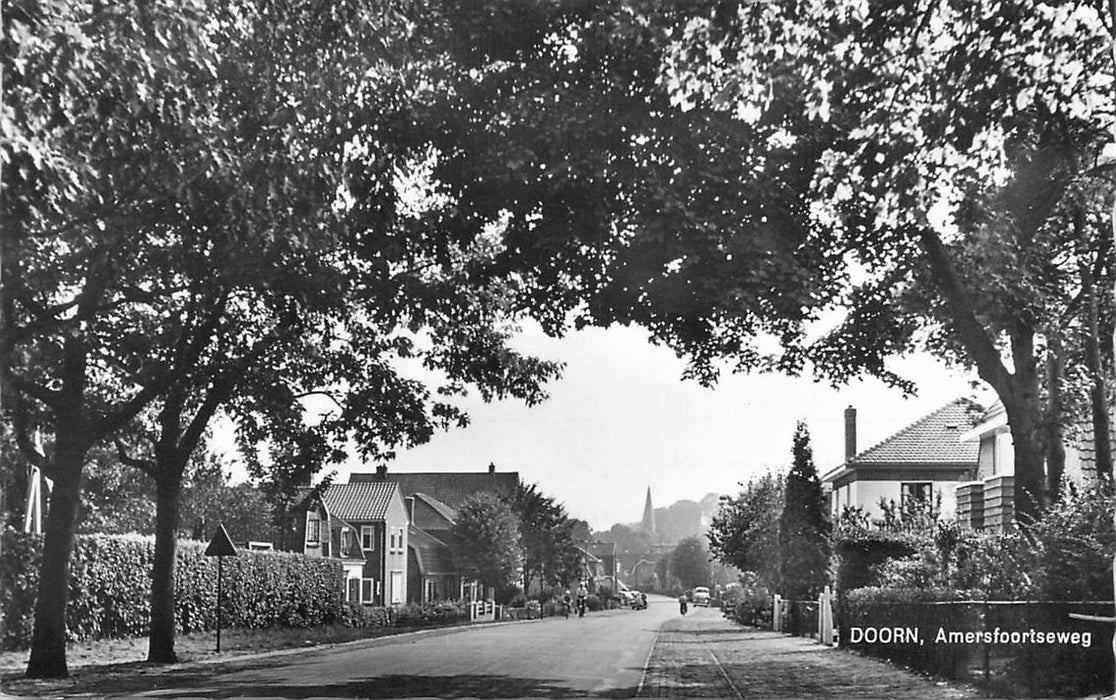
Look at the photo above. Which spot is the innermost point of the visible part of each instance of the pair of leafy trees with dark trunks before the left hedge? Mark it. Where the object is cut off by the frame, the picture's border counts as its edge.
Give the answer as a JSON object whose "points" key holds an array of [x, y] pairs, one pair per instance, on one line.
{"points": [[218, 222]]}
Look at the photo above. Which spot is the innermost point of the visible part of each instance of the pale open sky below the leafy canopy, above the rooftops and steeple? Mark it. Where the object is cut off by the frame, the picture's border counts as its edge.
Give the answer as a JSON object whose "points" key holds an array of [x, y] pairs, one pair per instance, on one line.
{"points": [[622, 420]]}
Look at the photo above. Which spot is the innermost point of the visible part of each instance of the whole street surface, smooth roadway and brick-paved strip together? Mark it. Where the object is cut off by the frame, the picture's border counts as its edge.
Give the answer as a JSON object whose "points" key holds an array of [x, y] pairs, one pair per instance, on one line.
{"points": [[612, 655]]}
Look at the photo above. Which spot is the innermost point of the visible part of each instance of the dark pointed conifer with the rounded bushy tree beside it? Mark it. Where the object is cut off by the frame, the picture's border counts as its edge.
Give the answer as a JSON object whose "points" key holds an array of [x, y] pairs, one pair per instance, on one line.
{"points": [[778, 529]]}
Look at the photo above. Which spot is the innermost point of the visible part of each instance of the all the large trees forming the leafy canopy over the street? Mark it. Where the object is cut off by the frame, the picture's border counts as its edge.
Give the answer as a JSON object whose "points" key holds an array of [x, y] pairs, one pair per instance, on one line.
{"points": [[237, 207]]}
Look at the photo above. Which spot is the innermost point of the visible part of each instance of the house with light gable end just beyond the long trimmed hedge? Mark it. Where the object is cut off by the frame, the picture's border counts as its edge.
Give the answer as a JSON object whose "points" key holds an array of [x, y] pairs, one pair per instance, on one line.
{"points": [[365, 526]]}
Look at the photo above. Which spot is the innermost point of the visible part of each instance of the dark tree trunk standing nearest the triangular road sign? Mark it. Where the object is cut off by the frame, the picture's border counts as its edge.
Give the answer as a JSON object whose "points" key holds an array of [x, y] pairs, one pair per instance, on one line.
{"points": [[161, 640]]}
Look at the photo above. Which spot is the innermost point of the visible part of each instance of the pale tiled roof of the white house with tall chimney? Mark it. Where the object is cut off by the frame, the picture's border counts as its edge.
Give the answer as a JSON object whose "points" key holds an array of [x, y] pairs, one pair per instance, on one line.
{"points": [[932, 440]]}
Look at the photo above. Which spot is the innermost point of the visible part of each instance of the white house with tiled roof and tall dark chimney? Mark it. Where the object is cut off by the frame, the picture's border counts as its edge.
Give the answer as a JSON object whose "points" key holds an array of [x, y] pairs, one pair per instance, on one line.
{"points": [[926, 462]]}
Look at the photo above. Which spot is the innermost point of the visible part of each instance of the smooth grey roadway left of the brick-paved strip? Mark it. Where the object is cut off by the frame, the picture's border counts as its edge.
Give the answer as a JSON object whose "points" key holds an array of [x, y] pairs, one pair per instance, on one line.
{"points": [[603, 655]]}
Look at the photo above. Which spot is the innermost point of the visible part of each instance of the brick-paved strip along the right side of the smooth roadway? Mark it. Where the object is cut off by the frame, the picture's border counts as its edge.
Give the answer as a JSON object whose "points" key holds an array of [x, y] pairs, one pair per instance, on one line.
{"points": [[698, 657]]}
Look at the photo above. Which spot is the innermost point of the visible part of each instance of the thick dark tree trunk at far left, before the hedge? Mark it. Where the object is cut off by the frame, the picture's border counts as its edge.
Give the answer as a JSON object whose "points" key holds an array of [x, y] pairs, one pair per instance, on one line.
{"points": [[49, 637]]}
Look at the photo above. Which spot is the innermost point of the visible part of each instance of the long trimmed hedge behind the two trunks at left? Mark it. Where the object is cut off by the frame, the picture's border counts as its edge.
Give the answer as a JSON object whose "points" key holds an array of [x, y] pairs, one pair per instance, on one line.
{"points": [[110, 592]]}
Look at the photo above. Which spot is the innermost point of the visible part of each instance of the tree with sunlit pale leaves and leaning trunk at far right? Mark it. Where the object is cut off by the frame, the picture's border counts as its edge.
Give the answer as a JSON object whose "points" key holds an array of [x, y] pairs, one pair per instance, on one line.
{"points": [[968, 202]]}
